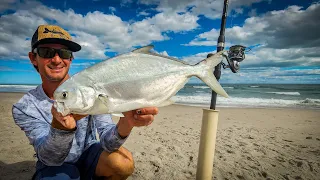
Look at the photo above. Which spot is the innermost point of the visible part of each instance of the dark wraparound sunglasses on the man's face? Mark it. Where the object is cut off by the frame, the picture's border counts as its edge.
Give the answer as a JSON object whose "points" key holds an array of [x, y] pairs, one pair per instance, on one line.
{"points": [[47, 52]]}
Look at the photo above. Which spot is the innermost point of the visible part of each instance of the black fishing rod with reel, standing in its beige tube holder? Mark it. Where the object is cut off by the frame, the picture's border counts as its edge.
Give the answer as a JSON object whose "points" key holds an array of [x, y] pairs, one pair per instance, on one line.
{"points": [[236, 54]]}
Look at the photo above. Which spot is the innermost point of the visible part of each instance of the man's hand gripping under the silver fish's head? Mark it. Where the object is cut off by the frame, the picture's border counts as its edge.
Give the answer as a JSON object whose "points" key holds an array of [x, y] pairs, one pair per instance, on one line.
{"points": [[67, 122]]}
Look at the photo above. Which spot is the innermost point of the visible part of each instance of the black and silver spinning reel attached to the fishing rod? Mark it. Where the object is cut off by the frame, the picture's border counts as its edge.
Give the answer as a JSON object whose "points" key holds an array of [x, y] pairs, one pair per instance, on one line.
{"points": [[236, 54]]}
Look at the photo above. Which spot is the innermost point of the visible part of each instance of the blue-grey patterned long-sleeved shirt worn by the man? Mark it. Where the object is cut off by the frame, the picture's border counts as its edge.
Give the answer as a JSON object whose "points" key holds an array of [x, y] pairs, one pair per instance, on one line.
{"points": [[54, 146]]}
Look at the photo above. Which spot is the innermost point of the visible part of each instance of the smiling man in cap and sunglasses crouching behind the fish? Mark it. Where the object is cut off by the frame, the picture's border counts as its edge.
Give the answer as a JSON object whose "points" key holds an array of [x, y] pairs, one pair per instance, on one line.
{"points": [[67, 146]]}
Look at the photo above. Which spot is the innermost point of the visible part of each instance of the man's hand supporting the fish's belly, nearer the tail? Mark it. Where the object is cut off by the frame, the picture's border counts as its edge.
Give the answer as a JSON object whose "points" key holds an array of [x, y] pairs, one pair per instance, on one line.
{"points": [[139, 117]]}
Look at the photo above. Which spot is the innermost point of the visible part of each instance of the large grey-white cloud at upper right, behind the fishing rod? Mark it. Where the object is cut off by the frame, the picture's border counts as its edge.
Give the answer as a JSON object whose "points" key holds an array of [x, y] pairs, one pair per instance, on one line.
{"points": [[278, 29]]}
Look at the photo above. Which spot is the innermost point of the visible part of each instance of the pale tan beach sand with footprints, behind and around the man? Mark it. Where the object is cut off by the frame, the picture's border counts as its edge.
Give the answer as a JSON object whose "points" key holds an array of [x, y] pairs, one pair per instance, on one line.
{"points": [[251, 144]]}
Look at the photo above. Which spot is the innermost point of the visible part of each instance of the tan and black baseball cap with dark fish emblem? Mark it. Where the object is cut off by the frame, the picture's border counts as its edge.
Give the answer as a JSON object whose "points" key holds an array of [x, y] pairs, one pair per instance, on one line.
{"points": [[46, 34]]}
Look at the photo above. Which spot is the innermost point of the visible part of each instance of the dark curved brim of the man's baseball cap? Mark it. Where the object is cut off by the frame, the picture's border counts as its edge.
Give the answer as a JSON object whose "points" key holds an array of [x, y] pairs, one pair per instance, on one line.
{"points": [[74, 47]]}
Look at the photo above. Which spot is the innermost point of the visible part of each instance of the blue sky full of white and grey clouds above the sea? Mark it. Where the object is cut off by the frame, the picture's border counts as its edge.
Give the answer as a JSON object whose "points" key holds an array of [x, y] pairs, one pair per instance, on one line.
{"points": [[283, 35]]}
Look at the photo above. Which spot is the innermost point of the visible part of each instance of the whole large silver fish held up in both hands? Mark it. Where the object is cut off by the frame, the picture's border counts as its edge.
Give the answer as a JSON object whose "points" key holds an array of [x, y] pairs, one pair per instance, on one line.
{"points": [[138, 79]]}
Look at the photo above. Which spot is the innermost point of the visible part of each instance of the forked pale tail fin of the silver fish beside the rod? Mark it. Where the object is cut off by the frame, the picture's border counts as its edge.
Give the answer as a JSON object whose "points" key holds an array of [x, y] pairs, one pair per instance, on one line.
{"points": [[205, 73]]}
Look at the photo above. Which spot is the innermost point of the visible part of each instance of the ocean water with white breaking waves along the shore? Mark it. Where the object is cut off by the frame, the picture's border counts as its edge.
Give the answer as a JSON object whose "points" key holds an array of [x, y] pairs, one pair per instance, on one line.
{"points": [[241, 95]]}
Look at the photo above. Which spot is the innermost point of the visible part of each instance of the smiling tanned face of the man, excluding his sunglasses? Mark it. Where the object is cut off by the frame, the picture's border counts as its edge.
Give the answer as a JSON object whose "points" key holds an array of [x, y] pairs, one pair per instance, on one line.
{"points": [[53, 69]]}
